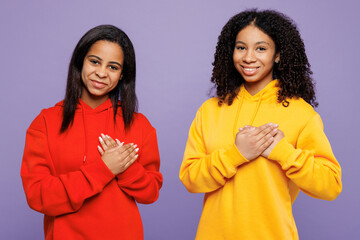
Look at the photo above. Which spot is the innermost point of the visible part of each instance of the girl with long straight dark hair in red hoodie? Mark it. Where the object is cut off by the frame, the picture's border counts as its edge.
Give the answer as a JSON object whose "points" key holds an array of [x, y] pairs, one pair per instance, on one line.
{"points": [[91, 157]]}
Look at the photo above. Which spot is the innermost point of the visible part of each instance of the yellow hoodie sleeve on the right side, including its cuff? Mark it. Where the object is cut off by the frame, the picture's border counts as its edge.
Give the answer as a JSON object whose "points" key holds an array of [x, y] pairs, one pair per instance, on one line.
{"points": [[311, 165]]}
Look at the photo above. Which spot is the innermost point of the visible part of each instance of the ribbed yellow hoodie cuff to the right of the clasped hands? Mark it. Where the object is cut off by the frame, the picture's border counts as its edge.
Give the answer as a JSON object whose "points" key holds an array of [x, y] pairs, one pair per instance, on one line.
{"points": [[282, 152]]}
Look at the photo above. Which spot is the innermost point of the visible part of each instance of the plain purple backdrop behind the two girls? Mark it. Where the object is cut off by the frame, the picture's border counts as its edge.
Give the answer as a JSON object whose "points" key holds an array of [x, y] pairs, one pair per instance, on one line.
{"points": [[175, 43]]}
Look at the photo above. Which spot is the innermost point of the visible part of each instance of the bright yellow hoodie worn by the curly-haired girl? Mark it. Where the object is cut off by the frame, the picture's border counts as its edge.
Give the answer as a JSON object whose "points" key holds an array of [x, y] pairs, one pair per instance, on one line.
{"points": [[253, 199]]}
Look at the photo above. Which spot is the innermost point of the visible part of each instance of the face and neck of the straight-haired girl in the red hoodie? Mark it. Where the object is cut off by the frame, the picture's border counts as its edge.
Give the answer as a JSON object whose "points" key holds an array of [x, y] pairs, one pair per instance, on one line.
{"points": [[101, 72]]}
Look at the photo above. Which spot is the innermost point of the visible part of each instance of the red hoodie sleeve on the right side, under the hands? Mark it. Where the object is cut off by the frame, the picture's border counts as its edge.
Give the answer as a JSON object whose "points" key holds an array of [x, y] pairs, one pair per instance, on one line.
{"points": [[142, 180]]}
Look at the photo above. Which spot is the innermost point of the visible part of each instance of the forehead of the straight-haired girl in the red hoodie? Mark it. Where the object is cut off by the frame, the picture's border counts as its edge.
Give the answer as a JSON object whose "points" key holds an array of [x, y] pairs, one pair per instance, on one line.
{"points": [[106, 50]]}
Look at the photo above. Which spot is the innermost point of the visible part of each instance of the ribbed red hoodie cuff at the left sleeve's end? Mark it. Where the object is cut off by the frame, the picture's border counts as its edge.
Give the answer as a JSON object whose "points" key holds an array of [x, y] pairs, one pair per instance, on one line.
{"points": [[99, 172]]}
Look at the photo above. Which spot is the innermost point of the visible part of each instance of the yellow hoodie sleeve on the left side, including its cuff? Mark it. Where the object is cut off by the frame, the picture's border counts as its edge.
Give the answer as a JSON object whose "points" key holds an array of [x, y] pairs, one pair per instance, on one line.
{"points": [[202, 171]]}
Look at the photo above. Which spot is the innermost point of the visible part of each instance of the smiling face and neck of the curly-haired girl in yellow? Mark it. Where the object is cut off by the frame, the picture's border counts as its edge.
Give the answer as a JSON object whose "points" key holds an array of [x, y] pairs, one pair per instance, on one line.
{"points": [[254, 57]]}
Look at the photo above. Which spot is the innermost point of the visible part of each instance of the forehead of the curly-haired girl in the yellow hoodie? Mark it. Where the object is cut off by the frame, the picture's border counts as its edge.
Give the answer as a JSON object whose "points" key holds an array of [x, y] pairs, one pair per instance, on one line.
{"points": [[252, 34]]}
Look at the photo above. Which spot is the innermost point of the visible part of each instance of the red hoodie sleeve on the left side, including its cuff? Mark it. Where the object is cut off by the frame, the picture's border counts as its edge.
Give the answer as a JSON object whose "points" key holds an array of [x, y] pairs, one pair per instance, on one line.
{"points": [[51, 194]]}
